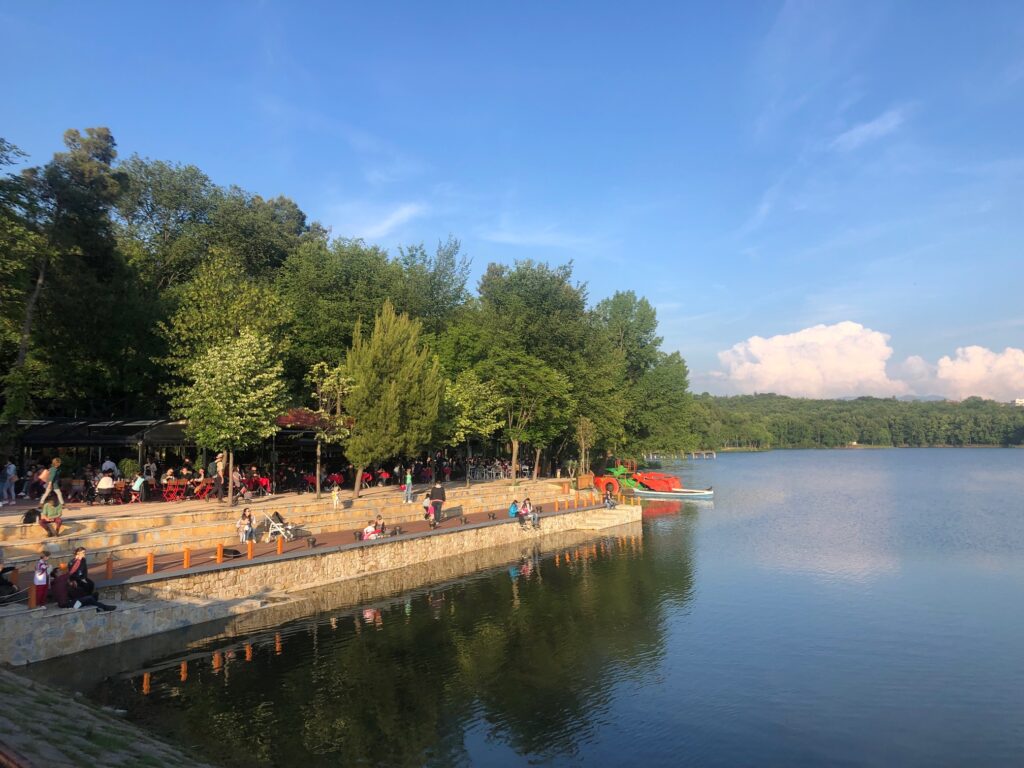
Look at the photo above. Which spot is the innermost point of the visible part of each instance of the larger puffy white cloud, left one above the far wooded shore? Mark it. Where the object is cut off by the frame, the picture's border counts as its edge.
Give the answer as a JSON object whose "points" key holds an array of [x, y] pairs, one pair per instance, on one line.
{"points": [[837, 361]]}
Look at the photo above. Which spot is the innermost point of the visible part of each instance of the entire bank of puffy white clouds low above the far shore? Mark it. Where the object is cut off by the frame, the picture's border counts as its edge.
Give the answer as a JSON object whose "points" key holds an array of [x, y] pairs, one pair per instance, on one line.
{"points": [[848, 360]]}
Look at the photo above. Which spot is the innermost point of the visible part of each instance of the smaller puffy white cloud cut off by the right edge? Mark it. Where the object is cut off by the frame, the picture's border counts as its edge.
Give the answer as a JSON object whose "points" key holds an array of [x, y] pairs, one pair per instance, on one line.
{"points": [[978, 371]]}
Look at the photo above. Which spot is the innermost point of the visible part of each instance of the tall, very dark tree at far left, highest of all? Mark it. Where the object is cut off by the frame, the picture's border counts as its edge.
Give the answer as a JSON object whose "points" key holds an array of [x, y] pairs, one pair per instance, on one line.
{"points": [[77, 279]]}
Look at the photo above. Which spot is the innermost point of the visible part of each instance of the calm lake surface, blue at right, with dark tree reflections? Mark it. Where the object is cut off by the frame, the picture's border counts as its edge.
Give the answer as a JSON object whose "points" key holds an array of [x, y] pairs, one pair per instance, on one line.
{"points": [[847, 608]]}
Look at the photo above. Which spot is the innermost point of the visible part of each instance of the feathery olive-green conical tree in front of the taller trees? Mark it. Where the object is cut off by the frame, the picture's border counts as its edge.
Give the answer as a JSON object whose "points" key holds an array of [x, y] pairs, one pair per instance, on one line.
{"points": [[397, 392]]}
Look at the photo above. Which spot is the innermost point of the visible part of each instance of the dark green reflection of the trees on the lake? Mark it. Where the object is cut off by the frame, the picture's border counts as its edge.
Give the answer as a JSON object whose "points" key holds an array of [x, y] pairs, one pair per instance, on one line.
{"points": [[530, 655]]}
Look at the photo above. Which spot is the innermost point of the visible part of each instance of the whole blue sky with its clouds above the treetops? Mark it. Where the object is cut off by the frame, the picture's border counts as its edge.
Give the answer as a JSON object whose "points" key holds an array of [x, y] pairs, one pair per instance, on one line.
{"points": [[757, 170]]}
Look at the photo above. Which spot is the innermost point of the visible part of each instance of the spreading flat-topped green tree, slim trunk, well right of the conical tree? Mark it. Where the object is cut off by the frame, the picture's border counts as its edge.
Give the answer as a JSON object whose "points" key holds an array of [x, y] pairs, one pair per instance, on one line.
{"points": [[533, 396]]}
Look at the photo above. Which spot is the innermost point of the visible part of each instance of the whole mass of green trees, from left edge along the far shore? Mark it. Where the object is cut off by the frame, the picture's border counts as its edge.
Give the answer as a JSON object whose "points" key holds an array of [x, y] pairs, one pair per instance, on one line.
{"points": [[121, 279]]}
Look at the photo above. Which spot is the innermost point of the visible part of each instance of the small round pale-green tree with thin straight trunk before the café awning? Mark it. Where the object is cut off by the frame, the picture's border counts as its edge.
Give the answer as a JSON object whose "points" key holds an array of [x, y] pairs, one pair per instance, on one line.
{"points": [[234, 397]]}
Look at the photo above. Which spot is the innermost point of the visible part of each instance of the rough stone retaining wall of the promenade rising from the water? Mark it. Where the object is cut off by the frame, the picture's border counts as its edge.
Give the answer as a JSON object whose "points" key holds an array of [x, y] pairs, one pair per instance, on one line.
{"points": [[153, 605]]}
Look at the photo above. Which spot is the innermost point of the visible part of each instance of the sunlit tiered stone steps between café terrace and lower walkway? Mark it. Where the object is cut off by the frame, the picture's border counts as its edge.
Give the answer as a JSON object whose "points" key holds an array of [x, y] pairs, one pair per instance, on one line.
{"points": [[159, 528]]}
